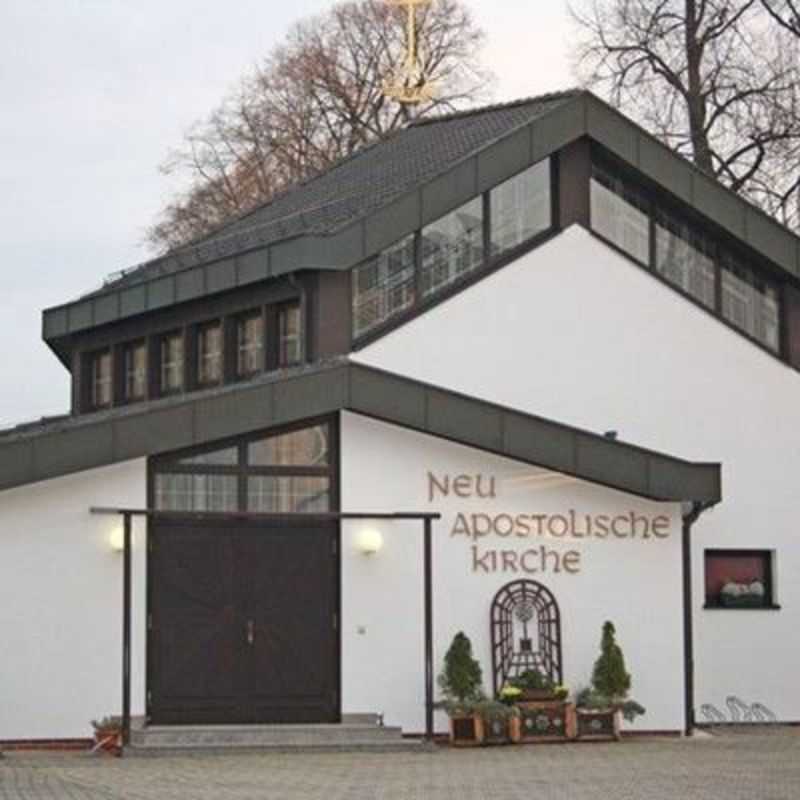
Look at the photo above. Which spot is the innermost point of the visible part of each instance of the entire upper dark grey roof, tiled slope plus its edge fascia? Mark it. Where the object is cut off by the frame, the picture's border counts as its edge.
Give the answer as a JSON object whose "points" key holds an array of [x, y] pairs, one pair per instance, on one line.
{"points": [[395, 186]]}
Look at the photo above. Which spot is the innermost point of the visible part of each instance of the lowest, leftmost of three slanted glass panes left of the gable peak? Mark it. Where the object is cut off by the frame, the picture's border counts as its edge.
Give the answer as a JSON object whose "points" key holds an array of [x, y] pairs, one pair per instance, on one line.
{"points": [[384, 286]]}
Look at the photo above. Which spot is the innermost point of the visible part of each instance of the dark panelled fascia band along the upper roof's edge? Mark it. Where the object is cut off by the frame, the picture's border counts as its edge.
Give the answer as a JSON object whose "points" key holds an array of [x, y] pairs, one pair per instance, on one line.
{"points": [[583, 115]]}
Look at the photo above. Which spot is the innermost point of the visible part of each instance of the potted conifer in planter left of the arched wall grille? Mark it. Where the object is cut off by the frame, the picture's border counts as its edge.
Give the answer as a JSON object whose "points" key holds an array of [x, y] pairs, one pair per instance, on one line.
{"points": [[460, 682]]}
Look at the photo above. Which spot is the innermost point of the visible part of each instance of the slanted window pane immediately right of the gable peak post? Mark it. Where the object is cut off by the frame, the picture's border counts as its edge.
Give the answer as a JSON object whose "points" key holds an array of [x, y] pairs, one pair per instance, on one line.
{"points": [[619, 214]]}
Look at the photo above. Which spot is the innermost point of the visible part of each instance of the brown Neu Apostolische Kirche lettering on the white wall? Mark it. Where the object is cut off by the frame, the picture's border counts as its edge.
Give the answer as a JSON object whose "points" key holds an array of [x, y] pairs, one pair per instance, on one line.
{"points": [[482, 530]]}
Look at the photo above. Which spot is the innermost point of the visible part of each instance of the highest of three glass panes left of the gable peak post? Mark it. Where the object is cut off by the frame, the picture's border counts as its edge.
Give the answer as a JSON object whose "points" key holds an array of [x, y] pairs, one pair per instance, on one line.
{"points": [[520, 207]]}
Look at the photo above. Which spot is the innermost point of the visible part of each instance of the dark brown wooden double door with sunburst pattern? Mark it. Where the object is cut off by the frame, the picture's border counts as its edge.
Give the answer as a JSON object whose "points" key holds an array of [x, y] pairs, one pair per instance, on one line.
{"points": [[242, 623]]}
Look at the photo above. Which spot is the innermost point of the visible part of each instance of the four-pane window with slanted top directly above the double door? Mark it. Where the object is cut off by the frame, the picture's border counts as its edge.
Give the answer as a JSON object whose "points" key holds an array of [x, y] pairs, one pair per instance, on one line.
{"points": [[286, 472]]}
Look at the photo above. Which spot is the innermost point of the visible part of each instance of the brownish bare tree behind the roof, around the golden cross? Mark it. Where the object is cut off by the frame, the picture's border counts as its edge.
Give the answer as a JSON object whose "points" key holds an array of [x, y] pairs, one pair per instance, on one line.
{"points": [[317, 98]]}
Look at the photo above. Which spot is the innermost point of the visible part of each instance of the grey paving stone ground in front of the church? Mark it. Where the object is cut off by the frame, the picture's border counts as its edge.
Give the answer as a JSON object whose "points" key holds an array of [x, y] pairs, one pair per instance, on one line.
{"points": [[753, 765]]}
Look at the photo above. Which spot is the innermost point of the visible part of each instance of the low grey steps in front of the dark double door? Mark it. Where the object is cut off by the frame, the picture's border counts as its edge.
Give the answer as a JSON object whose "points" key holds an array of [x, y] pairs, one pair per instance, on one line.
{"points": [[348, 736]]}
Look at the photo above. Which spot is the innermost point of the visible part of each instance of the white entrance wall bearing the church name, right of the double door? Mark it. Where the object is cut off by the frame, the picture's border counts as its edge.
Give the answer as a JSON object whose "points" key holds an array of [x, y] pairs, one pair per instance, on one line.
{"points": [[635, 583]]}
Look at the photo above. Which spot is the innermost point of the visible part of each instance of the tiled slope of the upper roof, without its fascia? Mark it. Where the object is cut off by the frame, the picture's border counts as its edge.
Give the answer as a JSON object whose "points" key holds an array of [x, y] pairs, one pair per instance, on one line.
{"points": [[358, 185]]}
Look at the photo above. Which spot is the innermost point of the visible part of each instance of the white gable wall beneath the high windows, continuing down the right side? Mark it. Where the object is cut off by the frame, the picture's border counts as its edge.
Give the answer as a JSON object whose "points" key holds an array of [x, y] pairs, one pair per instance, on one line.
{"points": [[575, 332]]}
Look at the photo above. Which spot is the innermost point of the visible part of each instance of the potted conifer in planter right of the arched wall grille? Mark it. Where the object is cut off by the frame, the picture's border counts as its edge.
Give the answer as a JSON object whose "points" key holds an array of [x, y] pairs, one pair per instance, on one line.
{"points": [[600, 706]]}
